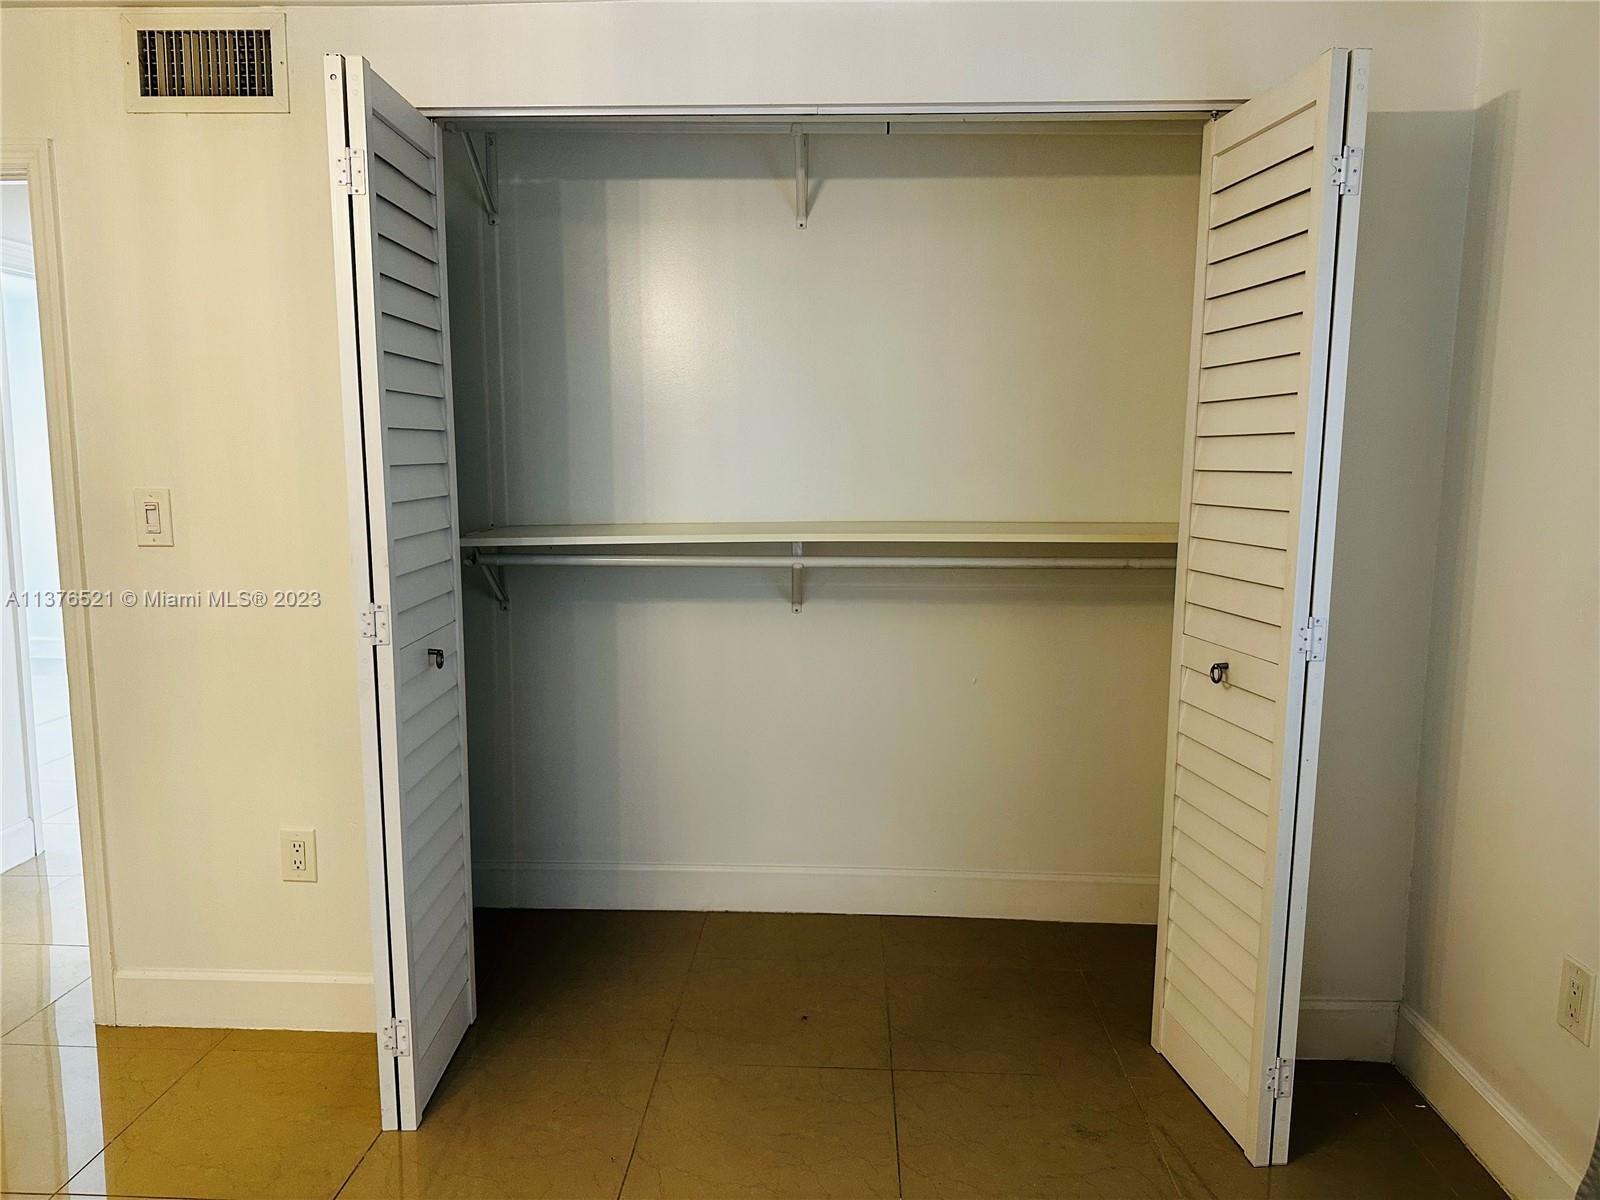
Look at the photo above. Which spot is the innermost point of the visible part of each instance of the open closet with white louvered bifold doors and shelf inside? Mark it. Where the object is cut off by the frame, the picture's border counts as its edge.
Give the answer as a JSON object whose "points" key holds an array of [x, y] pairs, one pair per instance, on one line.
{"points": [[862, 484]]}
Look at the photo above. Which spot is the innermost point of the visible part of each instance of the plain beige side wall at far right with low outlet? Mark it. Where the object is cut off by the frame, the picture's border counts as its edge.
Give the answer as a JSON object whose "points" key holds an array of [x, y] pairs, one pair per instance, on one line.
{"points": [[1508, 849]]}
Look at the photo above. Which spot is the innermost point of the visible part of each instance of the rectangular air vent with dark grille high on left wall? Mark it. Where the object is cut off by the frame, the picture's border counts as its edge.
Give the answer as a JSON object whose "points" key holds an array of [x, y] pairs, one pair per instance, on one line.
{"points": [[206, 63]]}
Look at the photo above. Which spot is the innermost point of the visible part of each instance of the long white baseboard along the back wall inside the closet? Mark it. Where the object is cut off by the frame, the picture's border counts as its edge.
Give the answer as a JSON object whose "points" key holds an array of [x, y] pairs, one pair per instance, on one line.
{"points": [[1124, 900]]}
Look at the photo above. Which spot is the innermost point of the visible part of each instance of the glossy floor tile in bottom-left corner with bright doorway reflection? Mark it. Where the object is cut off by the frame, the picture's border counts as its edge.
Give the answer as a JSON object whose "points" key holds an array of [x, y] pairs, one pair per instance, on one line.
{"points": [[63, 1105]]}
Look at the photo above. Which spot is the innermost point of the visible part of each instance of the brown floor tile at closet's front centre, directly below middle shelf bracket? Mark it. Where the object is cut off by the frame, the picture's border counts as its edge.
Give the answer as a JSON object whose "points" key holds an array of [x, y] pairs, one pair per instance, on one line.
{"points": [[783, 1014]]}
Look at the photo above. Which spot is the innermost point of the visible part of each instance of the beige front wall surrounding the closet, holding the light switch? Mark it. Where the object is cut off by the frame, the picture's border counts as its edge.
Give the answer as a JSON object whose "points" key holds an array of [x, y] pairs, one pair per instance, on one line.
{"points": [[202, 340]]}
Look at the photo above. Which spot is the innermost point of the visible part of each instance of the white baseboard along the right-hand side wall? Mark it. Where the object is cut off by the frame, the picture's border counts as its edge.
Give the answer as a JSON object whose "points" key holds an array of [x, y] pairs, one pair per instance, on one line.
{"points": [[1503, 1138]]}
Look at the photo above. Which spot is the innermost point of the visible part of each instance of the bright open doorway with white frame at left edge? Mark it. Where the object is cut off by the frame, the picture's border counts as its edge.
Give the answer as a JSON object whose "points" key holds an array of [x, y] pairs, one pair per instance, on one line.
{"points": [[54, 945]]}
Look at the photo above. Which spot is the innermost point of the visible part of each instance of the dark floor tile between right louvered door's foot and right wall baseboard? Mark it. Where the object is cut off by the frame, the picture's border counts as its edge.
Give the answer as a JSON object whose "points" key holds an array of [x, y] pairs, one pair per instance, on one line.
{"points": [[1345, 1143]]}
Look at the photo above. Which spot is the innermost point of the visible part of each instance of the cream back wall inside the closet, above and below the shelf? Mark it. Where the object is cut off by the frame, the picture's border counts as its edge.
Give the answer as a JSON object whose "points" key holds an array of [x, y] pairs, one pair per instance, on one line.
{"points": [[972, 327]]}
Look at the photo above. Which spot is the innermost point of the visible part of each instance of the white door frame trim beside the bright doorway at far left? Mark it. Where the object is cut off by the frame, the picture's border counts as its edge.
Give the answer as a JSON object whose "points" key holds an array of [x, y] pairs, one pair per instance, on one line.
{"points": [[33, 164]]}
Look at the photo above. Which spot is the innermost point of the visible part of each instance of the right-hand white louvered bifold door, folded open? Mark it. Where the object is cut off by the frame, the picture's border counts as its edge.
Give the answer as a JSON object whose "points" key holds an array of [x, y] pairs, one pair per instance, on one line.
{"points": [[1266, 409]]}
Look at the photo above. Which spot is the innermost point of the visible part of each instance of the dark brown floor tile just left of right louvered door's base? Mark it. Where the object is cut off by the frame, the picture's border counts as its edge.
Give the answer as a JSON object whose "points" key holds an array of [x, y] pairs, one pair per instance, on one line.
{"points": [[996, 1018]]}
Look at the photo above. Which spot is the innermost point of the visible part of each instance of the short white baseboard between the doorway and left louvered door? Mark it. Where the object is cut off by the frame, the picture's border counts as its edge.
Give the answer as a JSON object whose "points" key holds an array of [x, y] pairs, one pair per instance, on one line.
{"points": [[246, 999]]}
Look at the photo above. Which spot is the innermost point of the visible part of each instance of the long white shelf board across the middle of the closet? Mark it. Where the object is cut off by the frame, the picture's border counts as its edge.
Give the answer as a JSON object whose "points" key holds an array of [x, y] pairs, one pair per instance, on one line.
{"points": [[964, 534]]}
